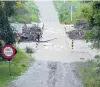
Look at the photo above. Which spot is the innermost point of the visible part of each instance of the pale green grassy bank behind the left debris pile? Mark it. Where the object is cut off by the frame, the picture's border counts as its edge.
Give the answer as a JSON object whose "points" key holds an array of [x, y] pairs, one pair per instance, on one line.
{"points": [[26, 13]]}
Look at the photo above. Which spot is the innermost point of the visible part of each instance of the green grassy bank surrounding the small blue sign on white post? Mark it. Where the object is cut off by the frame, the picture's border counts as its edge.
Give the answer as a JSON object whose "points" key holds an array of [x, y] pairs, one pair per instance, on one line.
{"points": [[64, 13]]}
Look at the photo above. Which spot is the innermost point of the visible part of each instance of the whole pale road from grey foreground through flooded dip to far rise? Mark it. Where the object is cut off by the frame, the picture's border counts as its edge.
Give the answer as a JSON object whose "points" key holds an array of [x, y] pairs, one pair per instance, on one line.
{"points": [[52, 67]]}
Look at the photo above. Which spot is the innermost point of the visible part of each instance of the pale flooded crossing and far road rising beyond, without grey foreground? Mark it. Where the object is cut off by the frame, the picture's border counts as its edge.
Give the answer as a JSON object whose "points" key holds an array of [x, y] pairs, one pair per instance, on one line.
{"points": [[58, 49]]}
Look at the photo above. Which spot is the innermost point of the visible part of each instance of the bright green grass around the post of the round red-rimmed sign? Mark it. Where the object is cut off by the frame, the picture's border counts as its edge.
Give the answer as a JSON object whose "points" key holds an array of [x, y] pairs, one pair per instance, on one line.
{"points": [[18, 65]]}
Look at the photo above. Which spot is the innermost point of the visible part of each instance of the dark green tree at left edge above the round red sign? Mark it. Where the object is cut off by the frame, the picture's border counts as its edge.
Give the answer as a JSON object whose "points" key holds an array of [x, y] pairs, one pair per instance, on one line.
{"points": [[6, 10]]}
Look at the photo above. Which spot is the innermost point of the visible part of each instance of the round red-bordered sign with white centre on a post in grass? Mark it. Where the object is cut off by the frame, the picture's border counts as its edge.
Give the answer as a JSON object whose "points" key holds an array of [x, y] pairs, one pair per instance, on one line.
{"points": [[8, 51]]}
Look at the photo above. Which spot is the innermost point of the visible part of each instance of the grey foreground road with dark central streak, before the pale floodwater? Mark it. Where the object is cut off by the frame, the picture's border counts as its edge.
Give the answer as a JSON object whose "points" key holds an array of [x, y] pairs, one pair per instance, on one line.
{"points": [[48, 74]]}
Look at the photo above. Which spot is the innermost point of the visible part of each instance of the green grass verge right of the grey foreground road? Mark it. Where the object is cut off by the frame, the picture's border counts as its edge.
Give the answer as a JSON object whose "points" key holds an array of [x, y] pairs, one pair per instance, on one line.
{"points": [[88, 75]]}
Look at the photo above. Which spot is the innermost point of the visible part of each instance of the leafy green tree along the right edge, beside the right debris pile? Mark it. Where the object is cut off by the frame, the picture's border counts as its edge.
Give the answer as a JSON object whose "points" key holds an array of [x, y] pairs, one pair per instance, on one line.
{"points": [[93, 17]]}
